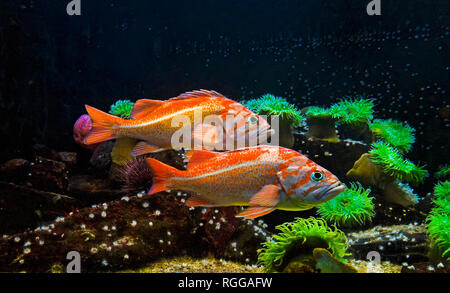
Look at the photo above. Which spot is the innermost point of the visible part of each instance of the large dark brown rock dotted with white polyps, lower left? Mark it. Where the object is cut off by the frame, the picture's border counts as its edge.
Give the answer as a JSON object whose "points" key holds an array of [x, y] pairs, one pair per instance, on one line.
{"points": [[122, 234]]}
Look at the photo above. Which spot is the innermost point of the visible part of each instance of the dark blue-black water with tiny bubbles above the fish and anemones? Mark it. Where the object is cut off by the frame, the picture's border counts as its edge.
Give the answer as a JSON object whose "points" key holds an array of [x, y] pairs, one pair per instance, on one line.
{"points": [[311, 52]]}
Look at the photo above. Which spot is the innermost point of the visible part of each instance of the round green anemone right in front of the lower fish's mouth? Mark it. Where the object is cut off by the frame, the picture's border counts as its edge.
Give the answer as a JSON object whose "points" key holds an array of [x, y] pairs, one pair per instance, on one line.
{"points": [[353, 207]]}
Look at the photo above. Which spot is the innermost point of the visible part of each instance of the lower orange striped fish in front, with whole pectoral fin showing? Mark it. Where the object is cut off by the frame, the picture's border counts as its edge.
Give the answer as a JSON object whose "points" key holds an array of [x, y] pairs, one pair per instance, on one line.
{"points": [[264, 178]]}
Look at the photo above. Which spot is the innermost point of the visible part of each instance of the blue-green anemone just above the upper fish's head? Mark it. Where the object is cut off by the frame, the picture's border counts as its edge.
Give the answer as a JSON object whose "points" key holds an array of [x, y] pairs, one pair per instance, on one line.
{"points": [[270, 105]]}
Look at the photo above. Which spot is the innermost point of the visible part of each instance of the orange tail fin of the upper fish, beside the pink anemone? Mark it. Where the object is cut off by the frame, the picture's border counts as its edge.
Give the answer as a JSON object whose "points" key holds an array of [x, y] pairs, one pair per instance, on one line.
{"points": [[102, 126]]}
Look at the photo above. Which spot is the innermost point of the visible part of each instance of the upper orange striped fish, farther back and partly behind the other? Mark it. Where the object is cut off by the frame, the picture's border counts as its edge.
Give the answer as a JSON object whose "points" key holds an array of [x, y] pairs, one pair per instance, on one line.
{"points": [[156, 123]]}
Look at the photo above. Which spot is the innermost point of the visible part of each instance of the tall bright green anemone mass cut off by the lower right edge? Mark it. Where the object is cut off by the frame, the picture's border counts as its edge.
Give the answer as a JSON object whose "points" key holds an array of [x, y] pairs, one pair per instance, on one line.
{"points": [[439, 220]]}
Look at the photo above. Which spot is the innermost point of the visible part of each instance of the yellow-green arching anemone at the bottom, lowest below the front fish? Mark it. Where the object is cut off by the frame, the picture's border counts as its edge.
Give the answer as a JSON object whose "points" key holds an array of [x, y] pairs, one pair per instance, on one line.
{"points": [[301, 237]]}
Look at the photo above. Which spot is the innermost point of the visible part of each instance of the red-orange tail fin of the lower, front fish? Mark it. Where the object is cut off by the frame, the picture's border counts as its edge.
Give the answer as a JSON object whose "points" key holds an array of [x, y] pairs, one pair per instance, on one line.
{"points": [[162, 174]]}
